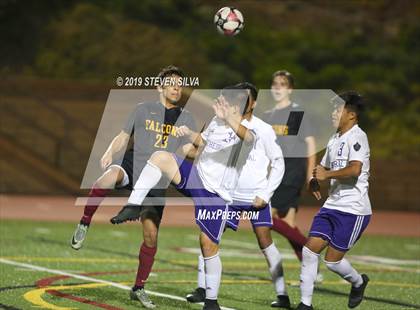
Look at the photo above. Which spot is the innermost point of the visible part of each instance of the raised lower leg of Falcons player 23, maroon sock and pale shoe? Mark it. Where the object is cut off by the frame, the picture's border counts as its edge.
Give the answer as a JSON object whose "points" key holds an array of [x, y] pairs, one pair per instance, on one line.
{"points": [[96, 195]]}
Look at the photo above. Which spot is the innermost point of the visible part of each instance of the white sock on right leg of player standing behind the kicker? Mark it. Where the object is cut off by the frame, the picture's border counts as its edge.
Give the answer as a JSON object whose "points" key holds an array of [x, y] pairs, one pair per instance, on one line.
{"points": [[273, 257]]}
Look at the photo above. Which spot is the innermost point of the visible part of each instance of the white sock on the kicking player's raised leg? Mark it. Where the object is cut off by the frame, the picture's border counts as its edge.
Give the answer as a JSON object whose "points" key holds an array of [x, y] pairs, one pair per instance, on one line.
{"points": [[149, 178]]}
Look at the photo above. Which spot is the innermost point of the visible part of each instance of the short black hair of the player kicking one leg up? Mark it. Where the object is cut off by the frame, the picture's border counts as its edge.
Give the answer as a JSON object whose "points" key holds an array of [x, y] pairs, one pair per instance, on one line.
{"points": [[239, 94]]}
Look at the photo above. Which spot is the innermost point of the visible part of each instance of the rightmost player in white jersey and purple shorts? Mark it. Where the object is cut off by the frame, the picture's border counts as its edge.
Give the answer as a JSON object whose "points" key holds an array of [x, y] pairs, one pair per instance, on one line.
{"points": [[347, 211]]}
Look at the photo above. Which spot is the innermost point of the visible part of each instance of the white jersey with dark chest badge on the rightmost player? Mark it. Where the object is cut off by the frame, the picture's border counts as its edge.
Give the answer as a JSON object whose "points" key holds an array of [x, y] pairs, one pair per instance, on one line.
{"points": [[348, 195]]}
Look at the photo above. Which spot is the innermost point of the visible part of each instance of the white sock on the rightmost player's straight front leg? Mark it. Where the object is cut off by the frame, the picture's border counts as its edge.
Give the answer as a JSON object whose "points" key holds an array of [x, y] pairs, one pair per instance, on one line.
{"points": [[308, 273]]}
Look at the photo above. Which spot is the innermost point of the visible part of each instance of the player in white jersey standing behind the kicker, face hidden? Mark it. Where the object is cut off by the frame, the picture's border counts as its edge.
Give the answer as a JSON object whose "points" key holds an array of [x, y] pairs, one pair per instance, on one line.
{"points": [[254, 182]]}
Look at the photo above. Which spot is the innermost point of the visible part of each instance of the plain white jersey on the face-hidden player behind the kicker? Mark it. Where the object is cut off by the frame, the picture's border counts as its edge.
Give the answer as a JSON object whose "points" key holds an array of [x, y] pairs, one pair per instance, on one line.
{"points": [[255, 179]]}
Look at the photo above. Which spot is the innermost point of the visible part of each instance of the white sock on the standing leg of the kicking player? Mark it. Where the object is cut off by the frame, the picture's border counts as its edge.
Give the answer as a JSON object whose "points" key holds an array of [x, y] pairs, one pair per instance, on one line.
{"points": [[213, 270]]}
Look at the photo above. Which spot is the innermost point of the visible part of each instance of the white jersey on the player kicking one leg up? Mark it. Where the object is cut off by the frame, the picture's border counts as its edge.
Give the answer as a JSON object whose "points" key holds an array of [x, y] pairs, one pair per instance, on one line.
{"points": [[213, 161]]}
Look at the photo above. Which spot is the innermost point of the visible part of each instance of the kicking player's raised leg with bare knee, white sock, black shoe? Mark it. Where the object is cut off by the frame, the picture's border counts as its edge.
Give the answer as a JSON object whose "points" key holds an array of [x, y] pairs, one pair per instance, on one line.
{"points": [[160, 163]]}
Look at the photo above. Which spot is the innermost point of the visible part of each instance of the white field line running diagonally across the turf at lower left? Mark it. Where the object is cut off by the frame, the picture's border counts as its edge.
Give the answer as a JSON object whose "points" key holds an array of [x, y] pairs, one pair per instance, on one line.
{"points": [[90, 279]]}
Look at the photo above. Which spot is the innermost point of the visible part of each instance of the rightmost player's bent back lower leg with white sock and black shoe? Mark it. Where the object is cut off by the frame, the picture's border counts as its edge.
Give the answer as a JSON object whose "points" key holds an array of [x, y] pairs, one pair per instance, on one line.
{"points": [[335, 261]]}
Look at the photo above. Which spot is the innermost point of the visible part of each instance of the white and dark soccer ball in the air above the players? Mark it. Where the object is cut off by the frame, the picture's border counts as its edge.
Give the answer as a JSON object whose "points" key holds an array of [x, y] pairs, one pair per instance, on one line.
{"points": [[229, 21]]}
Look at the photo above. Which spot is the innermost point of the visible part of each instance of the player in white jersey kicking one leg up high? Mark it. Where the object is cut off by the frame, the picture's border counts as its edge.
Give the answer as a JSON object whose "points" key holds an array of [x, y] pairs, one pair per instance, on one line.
{"points": [[204, 181]]}
